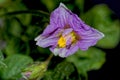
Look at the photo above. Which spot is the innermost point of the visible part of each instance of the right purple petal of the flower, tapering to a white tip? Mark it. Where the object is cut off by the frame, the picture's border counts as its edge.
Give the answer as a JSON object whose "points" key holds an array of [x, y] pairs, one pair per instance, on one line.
{"points": [[89, 38]]}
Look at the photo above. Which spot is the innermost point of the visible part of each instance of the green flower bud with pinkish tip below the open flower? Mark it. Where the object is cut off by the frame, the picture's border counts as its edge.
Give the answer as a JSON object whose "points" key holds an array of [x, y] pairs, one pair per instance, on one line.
{"points": [[35, 71]]}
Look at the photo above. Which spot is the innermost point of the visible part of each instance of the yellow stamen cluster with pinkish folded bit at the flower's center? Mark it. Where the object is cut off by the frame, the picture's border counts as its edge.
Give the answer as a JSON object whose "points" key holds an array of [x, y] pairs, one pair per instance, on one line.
{"points": [[66, 40]]}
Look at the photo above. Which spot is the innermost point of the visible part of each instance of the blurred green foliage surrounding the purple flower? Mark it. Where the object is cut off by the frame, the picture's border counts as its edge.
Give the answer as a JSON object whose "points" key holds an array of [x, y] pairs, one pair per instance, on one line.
{"points": [[19, 25]]}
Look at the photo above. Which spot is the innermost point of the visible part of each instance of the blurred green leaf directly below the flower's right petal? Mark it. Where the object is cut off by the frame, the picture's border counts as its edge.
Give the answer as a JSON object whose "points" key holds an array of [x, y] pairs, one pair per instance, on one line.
{"points": [[91, 59]]}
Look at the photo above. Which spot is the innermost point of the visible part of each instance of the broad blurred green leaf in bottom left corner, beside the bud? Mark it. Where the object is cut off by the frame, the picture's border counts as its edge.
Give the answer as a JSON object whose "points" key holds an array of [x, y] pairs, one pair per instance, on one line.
{"points": [[15, 64]]}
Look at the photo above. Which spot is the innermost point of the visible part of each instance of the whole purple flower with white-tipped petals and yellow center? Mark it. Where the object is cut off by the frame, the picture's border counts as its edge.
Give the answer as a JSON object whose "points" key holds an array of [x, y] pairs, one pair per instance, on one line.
{"points": [[67, 33]]}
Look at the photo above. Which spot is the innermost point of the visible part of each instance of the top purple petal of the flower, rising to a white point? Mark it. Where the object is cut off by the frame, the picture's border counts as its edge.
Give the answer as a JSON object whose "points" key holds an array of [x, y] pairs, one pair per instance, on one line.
{"points": [[62, 16]]}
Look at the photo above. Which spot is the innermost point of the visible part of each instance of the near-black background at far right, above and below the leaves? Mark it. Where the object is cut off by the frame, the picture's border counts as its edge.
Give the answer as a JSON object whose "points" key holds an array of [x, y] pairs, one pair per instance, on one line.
{"points": [[111, 69]]}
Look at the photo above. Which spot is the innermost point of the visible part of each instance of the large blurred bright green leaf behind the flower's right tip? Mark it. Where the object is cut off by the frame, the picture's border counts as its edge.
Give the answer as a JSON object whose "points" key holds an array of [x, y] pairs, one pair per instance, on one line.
{"points": [[99, 17]]}
